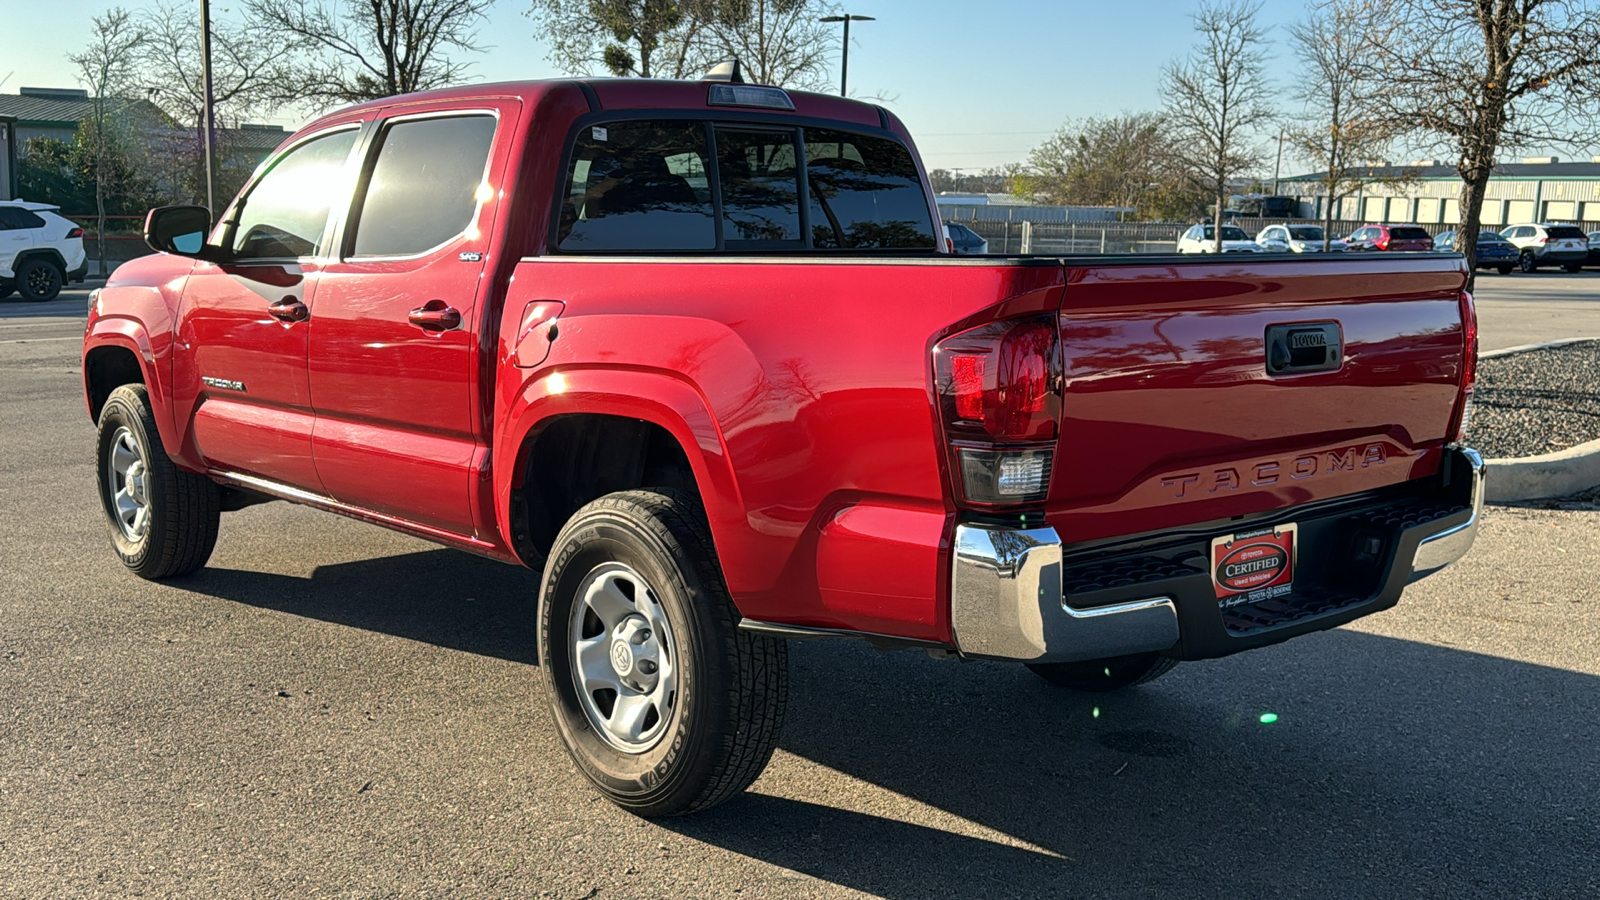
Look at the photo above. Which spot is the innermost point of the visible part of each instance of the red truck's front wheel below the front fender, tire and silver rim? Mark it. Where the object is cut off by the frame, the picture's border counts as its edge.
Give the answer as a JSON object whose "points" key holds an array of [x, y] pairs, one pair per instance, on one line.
{"points": [[162, 520]]}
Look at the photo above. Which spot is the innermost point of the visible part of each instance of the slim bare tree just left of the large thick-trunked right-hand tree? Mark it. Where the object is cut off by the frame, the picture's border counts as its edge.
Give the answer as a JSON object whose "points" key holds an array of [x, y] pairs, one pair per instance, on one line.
{"points": [[1343, 131]]}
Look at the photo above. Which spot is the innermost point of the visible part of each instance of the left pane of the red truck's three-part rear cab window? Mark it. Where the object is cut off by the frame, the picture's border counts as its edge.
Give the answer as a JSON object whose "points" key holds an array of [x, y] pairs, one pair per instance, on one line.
{"points": [[639, 187]]}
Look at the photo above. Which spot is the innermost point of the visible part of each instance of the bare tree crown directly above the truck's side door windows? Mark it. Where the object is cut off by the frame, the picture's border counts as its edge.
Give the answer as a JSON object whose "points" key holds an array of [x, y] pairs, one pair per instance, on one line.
{"points": [[367, 49]]}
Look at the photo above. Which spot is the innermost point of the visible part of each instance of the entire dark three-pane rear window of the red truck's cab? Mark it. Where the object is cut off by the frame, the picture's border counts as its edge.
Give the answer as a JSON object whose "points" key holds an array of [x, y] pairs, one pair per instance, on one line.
{"points": [[705, 187]]}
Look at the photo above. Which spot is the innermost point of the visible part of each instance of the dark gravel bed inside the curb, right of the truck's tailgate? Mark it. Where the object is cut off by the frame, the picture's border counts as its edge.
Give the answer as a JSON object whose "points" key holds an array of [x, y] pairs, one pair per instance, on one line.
{"points": [[1537, 403]]}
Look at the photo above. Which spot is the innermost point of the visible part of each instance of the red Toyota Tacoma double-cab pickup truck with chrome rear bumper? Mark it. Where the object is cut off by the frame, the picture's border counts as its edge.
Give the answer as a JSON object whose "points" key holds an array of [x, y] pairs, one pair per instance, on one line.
{"points": [[695, 352]]}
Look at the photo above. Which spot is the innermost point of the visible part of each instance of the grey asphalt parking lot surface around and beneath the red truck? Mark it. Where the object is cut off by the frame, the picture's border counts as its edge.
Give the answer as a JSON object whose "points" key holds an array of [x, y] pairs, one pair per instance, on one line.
{"points": [[332, 710]]}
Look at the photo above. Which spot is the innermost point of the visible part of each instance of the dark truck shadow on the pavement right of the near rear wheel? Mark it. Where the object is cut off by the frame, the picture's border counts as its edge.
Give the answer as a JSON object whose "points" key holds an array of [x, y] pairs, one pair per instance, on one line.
{"points": [[1393, 769]]}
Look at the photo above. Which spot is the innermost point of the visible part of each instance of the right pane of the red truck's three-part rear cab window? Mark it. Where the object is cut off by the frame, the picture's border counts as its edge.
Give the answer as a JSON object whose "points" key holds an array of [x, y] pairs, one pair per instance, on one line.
{"points": [[865, 195]]}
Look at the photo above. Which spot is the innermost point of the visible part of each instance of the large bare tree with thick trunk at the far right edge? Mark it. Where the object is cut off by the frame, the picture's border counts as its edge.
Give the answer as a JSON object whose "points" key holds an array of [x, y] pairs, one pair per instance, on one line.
{"points": [[1482, 78]]}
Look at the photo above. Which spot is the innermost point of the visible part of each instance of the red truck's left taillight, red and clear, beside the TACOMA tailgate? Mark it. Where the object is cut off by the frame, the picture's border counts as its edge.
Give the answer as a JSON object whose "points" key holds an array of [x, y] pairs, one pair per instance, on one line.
{"points": [[1001, 403]]}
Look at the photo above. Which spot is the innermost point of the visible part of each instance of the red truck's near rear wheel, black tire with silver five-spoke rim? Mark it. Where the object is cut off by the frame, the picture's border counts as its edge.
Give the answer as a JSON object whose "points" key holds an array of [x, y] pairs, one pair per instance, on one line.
{"points": [[639, 569]]}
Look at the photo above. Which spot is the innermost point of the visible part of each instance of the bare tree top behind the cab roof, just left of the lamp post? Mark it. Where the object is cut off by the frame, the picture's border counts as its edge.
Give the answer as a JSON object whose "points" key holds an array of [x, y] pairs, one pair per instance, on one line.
{"points": [[778, 42]]}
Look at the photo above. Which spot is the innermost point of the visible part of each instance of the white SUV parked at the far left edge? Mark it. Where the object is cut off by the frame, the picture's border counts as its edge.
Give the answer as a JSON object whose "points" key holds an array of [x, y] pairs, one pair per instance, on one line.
{"points": [[39, 251]]}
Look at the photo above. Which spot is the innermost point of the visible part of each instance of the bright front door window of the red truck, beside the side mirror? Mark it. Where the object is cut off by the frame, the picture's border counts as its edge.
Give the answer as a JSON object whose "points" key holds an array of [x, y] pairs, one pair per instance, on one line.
{"points": [[287, 211]]}
